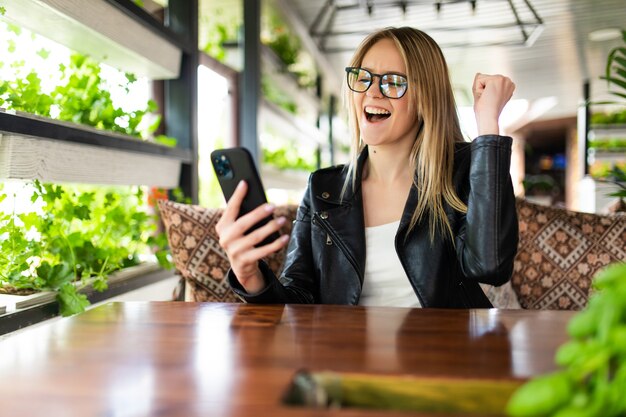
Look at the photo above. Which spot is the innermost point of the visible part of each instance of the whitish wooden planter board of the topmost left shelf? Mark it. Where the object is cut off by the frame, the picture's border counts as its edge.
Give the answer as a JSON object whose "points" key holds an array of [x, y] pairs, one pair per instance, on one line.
{"points": [[100, 29]]}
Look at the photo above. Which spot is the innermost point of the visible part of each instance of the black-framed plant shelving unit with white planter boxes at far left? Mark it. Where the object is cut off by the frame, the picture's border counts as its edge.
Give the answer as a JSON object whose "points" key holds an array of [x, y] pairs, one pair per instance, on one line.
{"points": [[127, 37]]}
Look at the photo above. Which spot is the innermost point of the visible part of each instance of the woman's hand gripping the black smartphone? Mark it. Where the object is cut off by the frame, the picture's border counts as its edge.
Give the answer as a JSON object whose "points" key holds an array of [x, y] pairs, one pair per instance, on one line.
{"points": [[240, 247]]}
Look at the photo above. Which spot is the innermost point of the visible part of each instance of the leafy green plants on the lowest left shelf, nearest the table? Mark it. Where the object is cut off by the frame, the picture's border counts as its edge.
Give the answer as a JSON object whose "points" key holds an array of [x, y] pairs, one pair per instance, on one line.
{"points": [[77, 236]]}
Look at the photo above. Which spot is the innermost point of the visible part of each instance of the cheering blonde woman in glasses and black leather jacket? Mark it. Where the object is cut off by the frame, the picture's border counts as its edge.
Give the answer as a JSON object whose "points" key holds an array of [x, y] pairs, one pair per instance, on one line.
{"points": [[418, 218]]}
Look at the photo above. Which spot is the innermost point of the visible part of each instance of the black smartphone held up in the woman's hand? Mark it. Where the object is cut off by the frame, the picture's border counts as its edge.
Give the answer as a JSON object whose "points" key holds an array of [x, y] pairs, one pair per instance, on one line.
{"points": [[232, 165]]}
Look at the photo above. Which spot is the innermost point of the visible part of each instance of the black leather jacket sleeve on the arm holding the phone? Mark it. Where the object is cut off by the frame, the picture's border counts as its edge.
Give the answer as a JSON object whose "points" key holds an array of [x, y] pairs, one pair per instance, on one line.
{"points": [[298, 283]]}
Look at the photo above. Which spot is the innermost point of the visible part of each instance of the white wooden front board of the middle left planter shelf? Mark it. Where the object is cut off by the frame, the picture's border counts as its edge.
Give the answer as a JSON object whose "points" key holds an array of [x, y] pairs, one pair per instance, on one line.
{"points": [[27, 158]]}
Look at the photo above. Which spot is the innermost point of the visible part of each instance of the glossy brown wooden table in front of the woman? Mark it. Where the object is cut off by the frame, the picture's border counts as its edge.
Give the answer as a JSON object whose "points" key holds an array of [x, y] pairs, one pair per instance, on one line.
{"points": [[206, 359]]}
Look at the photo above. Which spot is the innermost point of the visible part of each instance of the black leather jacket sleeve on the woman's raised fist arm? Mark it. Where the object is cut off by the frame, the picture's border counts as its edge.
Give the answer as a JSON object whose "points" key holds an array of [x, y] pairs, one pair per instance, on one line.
{"points": [[487, 240]]}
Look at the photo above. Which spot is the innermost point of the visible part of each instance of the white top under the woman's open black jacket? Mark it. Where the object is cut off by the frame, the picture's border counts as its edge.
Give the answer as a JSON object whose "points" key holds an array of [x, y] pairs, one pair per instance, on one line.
{"points": [[385, 282]]}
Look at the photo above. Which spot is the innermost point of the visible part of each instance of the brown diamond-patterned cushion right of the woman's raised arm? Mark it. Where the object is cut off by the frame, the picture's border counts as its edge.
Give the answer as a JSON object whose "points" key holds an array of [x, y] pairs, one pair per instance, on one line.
{"points": [[560, 251]]}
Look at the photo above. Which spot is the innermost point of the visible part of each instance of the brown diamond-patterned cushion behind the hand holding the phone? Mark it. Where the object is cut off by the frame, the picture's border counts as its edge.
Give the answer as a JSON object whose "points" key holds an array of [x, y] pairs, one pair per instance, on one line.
{"points": [[197, 254]]}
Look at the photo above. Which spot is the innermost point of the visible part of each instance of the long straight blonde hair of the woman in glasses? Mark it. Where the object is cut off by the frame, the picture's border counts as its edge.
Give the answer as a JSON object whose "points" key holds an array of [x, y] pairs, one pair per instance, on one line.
{"points": [[431, 98]]}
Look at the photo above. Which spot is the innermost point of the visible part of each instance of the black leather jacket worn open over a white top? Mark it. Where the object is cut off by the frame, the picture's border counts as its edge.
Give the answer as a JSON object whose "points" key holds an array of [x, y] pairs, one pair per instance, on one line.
{"points": [[325, 259]]}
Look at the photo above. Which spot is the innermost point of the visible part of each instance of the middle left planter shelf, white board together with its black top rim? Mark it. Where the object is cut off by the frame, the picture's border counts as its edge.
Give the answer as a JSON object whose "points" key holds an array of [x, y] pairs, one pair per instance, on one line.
{"points": [[52, 151]]}
